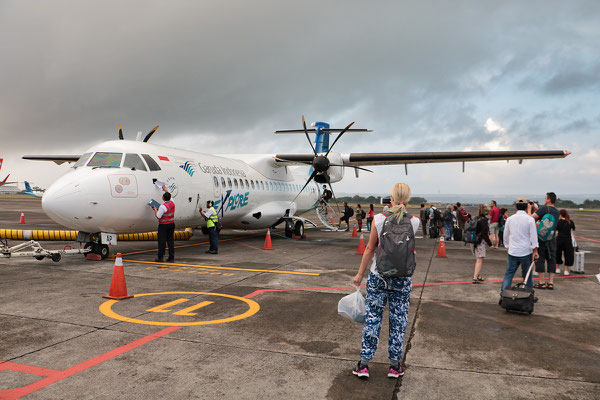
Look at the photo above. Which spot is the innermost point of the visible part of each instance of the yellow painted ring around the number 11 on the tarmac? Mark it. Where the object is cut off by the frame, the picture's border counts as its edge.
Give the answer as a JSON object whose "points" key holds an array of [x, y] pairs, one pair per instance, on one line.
{"points": [[253, 307]]}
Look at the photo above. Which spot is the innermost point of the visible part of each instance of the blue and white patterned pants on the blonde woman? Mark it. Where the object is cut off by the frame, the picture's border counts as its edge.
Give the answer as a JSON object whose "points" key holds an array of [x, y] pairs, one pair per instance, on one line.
{"points": [[379, 291]]}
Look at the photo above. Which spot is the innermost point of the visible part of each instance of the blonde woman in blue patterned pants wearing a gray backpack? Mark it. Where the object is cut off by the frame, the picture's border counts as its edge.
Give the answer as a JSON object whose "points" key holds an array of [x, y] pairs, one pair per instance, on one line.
{"points": [[383, 286]]}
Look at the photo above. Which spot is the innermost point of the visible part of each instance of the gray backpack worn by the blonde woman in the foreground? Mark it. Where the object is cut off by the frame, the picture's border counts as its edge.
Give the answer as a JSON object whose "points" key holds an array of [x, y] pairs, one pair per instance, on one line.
{"points": [[395, 256]]}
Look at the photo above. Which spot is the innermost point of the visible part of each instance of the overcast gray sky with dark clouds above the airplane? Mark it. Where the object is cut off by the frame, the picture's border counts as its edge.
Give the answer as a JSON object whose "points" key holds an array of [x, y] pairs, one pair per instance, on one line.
{"points": [[221, 76]]}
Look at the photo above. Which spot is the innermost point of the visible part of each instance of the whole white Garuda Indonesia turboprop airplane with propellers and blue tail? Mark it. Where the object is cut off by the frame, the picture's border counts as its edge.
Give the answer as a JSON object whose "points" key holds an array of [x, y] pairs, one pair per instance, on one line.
{"points": [[108, 188]]}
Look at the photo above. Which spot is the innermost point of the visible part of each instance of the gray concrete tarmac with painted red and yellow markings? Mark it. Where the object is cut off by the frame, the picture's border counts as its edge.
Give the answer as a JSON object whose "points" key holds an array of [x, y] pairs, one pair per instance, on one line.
{"points": [[250, 323]]}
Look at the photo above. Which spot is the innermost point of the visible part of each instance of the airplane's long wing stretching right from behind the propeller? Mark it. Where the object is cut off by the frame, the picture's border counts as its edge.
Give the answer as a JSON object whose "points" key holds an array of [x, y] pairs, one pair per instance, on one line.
{"points": [[365, 159]]}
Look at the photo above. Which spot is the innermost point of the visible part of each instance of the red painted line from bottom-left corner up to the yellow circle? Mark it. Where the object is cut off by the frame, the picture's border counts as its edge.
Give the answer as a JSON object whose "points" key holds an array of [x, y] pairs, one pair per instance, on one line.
{"points": [[56, 376]]}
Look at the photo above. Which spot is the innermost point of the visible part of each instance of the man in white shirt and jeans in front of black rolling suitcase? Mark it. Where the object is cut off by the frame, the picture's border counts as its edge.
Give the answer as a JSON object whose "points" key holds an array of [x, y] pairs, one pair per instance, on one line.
{"points": [[520, 238]]}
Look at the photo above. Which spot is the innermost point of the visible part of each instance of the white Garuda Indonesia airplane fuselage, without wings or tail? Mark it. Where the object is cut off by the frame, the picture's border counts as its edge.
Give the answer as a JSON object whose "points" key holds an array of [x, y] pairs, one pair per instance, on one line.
{"points": [[108, 190]]}
